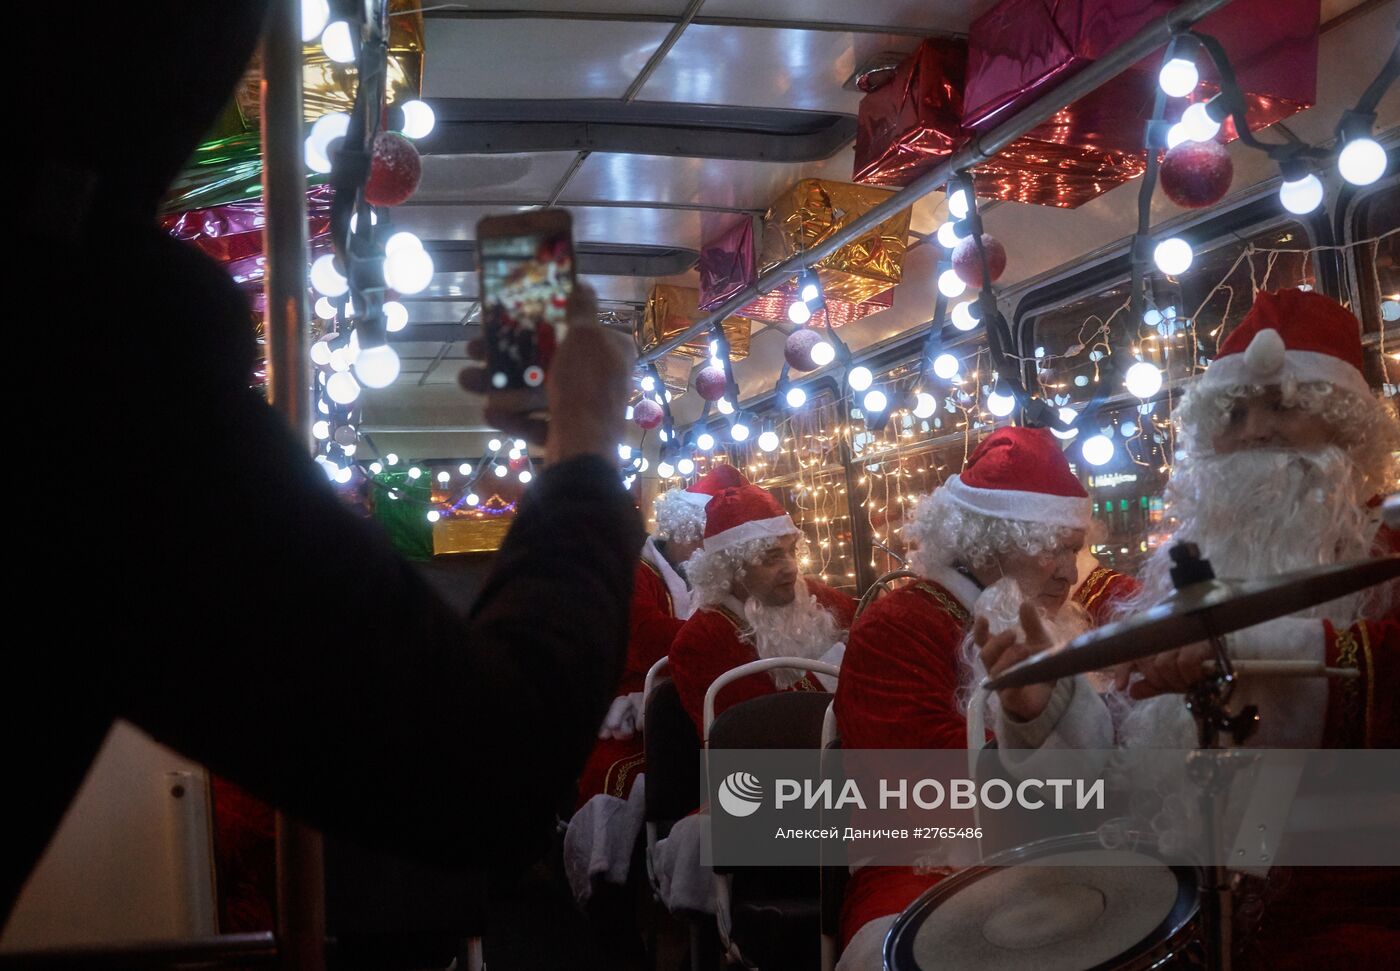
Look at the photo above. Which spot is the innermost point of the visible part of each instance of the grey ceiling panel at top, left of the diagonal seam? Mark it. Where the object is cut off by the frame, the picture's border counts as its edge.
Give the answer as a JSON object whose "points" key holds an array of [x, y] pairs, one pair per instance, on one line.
{"points": [[535, 58]]}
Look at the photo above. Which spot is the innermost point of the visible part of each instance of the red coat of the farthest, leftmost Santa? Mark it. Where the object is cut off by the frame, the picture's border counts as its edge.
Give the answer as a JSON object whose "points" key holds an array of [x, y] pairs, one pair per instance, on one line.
{"points": [[617, 763]]}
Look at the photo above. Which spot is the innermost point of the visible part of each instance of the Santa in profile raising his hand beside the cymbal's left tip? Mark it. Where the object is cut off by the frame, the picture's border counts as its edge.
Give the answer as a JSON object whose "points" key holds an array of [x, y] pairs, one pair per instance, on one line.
{"points": [[1007, 531]]}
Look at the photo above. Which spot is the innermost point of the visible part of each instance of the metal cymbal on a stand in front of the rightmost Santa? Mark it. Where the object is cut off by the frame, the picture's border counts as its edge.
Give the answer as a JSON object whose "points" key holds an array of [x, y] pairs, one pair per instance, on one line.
{"points": [[1196, 614]]}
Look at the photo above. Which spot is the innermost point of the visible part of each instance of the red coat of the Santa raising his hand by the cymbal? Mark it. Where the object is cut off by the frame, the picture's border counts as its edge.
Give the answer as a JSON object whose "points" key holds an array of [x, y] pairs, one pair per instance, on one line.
{"points": [[899, 690]]}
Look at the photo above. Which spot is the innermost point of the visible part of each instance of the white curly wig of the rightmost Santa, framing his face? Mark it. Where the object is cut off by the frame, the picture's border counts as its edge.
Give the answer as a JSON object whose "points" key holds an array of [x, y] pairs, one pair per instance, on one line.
{"points": [[1366, 426]]}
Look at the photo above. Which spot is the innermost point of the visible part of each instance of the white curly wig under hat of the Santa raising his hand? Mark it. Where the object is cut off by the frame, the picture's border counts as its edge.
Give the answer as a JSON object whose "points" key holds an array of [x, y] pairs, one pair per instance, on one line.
{"points": [[947, 535]]}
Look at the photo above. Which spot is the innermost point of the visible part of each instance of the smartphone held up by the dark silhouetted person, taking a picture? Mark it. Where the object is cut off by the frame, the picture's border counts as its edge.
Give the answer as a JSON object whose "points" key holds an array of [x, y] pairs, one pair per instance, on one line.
{"points": [[527, 274]]}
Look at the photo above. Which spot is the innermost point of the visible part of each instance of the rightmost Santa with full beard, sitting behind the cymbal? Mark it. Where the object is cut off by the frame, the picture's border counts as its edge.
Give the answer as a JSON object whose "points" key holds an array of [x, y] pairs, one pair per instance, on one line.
{"points": [[1287, 457]]}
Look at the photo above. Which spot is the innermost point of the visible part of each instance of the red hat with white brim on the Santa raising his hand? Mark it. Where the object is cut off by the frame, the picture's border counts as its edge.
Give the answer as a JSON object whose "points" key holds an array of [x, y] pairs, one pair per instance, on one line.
{"points": [[1021, 474]]}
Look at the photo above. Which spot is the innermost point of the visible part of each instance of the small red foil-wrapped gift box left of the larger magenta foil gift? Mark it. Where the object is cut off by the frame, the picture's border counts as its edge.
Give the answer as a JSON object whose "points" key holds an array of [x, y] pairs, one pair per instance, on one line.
{"points": [[915, 122]]}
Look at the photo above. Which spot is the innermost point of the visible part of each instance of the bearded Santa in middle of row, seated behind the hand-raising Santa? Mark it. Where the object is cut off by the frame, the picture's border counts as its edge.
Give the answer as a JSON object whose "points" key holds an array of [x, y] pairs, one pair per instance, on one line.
{"points": [[752, 602]]}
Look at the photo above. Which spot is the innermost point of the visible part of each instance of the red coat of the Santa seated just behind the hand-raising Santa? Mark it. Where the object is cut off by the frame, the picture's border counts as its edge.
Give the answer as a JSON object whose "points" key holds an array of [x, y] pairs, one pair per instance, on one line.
{"points": [[712, 643]]}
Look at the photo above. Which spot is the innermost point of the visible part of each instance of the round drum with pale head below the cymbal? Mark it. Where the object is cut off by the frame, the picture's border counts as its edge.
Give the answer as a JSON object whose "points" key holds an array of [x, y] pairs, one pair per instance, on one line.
{"points": [[1121, 910]]}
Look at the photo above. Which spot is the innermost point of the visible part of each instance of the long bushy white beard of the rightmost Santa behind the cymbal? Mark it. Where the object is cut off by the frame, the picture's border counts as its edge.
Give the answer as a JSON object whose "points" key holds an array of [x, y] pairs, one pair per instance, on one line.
{"points": [[1259, 513]]}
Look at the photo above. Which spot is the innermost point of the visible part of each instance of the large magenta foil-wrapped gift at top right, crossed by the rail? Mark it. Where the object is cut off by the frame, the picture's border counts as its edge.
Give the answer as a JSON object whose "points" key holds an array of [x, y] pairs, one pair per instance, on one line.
{"points": [[1021, 50]]}
